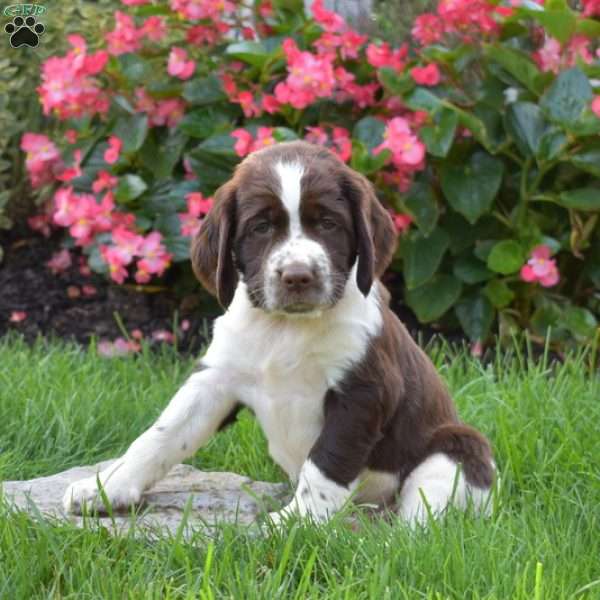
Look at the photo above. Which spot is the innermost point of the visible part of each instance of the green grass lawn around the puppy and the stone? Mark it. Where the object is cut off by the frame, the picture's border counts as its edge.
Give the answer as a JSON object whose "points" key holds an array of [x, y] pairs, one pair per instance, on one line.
{"points": [[61, 406]]}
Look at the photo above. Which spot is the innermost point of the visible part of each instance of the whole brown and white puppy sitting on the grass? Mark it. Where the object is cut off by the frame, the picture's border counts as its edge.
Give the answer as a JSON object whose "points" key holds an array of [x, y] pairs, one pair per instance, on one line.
{"points": [[293, 249]]}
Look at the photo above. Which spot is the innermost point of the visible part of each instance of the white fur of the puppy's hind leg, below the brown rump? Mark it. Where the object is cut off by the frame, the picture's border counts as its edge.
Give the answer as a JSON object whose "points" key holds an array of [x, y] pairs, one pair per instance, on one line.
{"points": [[433, 485]]}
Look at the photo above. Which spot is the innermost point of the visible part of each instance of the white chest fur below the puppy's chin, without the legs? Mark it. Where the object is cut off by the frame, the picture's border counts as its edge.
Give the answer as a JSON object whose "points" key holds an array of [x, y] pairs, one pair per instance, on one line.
{"points": [[281, 366]]}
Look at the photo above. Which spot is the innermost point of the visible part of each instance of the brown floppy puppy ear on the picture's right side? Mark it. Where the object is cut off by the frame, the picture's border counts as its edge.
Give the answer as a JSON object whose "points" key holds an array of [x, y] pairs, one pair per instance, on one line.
{"points": [[375, 232]]}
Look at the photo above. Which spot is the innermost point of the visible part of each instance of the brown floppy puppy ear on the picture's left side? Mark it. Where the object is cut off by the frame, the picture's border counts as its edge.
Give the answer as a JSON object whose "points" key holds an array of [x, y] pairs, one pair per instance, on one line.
{"points": [[212, 248]]}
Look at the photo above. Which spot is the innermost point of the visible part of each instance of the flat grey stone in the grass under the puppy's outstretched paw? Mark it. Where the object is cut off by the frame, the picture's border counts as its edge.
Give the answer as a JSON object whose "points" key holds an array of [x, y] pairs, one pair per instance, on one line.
{"points": [[205, 498]]}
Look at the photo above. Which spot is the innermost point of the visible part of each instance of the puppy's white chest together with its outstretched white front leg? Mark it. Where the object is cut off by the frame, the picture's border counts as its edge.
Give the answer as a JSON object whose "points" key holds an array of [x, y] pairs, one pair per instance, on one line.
{"points": [[280, 367]]}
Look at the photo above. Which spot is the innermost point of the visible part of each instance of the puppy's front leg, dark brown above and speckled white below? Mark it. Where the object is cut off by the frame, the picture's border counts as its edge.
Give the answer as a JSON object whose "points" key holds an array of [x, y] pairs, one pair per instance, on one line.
{"points": [[330, 474]]}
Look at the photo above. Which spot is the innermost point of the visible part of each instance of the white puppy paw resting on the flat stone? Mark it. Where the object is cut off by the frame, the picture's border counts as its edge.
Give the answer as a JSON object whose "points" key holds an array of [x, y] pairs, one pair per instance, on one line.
{"points": [[120, 494]]}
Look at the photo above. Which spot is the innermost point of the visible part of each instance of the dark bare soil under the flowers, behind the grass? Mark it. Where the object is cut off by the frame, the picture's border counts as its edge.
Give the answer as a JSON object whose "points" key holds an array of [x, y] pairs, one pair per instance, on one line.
{"points": [[53, 308]]}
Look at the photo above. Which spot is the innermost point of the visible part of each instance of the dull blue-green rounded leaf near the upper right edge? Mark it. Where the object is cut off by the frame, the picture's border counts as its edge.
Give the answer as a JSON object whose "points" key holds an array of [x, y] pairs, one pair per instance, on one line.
{"points": [[567, 97]]}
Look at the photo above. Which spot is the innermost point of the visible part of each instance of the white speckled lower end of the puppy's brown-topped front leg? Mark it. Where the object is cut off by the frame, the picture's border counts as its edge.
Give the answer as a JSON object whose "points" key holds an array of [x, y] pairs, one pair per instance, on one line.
{"points": [[316, 496]]}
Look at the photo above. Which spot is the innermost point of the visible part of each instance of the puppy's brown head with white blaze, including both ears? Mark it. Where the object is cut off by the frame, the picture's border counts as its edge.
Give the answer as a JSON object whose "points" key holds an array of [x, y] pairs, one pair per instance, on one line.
{"points": [[292, 222]]}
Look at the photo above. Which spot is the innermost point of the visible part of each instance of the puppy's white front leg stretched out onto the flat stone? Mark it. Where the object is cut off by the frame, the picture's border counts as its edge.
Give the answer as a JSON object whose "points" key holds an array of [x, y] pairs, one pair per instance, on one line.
{"points": [[192, 416]]}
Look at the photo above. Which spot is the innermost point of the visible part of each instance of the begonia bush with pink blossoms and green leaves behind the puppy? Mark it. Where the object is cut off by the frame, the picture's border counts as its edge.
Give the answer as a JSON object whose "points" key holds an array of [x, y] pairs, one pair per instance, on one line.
{"points": [[481, 137]]}
